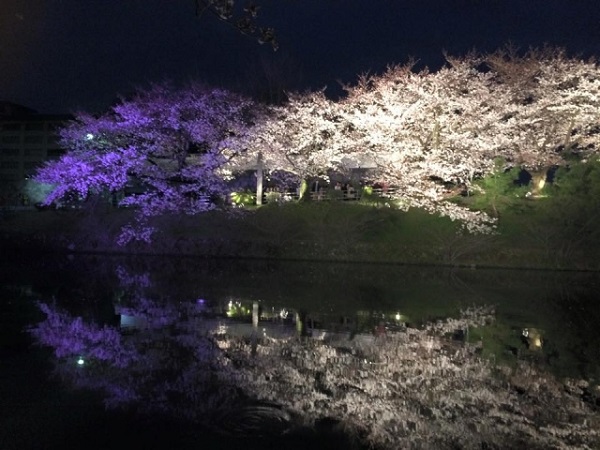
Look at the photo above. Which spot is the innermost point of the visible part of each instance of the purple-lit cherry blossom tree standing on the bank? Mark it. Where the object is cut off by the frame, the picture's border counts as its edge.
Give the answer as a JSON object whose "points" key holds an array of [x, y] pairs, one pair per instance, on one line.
{"points": [[174, 142]]}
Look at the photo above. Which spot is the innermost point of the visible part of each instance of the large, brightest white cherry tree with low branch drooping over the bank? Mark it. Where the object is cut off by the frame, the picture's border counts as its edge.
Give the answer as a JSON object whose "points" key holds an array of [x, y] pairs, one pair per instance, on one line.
{"points": [[423, 130]]}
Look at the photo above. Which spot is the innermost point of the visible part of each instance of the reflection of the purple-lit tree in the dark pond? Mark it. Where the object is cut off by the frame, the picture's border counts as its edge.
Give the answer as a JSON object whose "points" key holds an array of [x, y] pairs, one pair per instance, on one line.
{"points": [[169, 366]]}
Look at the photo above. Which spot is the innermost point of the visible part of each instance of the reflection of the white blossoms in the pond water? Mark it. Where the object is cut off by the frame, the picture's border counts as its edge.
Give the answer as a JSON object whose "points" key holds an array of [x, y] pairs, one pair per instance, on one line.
{"points": [[415, 388]]}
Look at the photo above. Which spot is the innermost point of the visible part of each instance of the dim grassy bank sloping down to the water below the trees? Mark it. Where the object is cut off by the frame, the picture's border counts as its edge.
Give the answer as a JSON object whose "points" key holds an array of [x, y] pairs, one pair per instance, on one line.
{"points": [[527, 235]]}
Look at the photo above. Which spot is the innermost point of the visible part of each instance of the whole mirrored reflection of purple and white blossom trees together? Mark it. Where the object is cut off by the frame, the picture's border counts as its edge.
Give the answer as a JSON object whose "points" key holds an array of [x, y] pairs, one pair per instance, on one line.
{"points": [[241, 364]]}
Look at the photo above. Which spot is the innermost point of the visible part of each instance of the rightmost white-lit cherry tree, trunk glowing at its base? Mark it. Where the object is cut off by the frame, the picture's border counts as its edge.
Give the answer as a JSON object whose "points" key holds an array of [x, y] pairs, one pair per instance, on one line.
{"points": [[551, 112]]}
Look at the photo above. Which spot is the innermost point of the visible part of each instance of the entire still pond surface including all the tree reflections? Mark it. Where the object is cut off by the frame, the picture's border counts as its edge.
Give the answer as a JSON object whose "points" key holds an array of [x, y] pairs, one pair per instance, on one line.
{"points": [[168, 352]]}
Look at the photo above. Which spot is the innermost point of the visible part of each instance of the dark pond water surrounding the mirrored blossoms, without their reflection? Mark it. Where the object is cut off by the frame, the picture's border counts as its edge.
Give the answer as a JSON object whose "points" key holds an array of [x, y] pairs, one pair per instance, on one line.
{"points": [[551, 318]]}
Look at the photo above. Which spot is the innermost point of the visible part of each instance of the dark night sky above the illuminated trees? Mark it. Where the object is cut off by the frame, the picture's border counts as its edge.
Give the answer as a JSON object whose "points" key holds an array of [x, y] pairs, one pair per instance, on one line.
{"points": [[68, 55]]}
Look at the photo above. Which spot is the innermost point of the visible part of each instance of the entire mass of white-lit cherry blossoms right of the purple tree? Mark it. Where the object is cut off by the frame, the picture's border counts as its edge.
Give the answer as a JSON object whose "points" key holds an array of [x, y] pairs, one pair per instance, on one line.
{"points": [[426, 130]]}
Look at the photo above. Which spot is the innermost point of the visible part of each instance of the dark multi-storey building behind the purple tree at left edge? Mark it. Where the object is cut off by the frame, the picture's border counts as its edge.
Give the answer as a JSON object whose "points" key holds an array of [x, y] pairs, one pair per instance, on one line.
{"points": [[27, 139]]}
